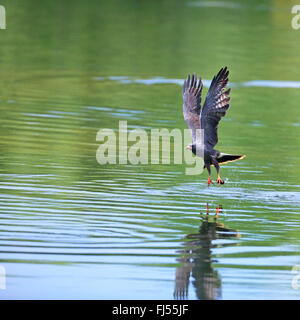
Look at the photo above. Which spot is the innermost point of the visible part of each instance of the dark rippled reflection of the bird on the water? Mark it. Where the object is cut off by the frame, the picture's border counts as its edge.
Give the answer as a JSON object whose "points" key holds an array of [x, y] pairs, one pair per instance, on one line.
{"points": [[196, 259]]}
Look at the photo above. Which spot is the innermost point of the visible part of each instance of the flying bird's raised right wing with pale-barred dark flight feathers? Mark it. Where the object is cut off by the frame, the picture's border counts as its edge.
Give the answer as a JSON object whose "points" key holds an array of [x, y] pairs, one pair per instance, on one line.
{"points": [[215, 106]]}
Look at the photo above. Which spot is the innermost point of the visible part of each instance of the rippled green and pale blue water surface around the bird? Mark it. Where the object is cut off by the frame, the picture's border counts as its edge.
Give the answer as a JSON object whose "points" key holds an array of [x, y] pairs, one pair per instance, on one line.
{"points": [[71, 228]]}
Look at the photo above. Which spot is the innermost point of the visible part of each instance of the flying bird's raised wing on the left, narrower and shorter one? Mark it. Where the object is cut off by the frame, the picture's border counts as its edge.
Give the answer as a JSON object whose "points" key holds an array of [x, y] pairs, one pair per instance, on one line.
{"points": [[191, 93]]}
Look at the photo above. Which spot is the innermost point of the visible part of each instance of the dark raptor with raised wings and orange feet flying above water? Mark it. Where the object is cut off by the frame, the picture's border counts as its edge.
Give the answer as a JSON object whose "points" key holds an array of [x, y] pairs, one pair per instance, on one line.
{"points": [[207, 119]]}
